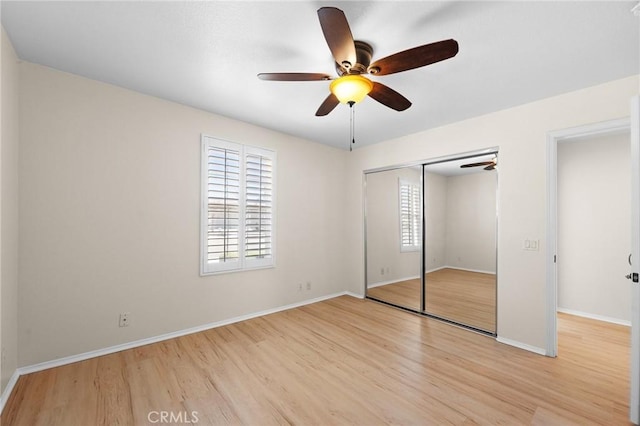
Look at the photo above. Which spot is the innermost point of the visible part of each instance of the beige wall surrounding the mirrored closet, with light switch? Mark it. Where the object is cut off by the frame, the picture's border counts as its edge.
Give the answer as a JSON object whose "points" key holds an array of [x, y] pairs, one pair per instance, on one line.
{"points": [[520, 133]]}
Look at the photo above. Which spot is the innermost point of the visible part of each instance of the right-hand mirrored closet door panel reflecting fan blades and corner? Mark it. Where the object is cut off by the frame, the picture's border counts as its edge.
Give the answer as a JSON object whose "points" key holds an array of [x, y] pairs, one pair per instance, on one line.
{"points": [[460, 252]]}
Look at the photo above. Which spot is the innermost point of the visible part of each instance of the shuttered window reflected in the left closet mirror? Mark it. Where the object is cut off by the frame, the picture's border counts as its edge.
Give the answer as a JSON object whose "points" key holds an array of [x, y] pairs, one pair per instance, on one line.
{"points": [[410, 217]]}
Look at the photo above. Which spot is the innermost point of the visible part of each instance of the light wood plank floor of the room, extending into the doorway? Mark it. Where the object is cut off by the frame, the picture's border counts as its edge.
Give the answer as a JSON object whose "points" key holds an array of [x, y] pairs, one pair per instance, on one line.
{"points": [[341, 361]]}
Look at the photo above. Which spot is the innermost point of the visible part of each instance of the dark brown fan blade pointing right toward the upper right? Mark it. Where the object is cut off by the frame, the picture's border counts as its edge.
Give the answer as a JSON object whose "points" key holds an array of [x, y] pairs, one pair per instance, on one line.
{"points": [[415, 58]]}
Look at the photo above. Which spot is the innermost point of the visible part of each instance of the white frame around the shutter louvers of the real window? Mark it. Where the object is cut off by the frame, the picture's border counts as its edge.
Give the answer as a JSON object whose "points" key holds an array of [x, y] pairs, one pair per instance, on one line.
{"points": [[243, 263]]}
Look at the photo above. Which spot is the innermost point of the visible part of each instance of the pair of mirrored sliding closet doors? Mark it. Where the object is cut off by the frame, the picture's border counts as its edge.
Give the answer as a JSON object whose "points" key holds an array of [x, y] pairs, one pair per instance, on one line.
{"points": [[430, 239]]}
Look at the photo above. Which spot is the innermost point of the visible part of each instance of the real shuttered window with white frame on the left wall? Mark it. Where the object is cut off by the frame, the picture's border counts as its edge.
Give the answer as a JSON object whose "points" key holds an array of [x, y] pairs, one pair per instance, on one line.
{"points": [[238, 196]]}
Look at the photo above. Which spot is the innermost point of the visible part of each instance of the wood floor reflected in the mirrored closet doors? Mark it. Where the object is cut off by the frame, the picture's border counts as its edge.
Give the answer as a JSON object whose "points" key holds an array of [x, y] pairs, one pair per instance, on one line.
{"points": [[461, 296]]}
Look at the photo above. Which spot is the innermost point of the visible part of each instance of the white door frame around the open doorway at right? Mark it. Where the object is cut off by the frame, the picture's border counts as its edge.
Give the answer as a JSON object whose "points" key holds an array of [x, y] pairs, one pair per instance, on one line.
{"points": [[553, 139]]}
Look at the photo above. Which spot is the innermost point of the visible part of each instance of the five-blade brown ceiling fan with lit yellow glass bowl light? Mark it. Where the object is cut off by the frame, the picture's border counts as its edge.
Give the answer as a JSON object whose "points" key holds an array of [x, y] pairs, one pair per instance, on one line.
{"points": [[353, 58]]}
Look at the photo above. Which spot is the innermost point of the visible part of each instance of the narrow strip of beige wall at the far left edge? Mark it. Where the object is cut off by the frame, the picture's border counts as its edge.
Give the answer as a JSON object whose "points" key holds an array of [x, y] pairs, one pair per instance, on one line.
{"points": [[9, 212]]}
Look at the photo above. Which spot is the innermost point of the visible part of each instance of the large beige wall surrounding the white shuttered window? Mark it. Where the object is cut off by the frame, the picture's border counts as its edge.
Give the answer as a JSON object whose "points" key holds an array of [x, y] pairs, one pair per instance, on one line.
{"points": [[109, 218]]}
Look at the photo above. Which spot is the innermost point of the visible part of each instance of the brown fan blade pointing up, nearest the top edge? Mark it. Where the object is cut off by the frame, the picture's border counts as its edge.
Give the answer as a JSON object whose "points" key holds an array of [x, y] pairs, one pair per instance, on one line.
{"points": [[338, 35]]}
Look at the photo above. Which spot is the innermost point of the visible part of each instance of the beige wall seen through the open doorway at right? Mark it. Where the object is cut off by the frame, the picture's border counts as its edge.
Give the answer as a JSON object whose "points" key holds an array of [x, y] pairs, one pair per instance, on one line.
{"points": [[594, 213]]}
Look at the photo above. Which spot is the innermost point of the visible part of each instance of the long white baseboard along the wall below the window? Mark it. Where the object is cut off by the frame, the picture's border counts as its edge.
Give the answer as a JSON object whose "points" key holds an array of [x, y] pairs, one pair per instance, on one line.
{"points": [[130, 345]]}
